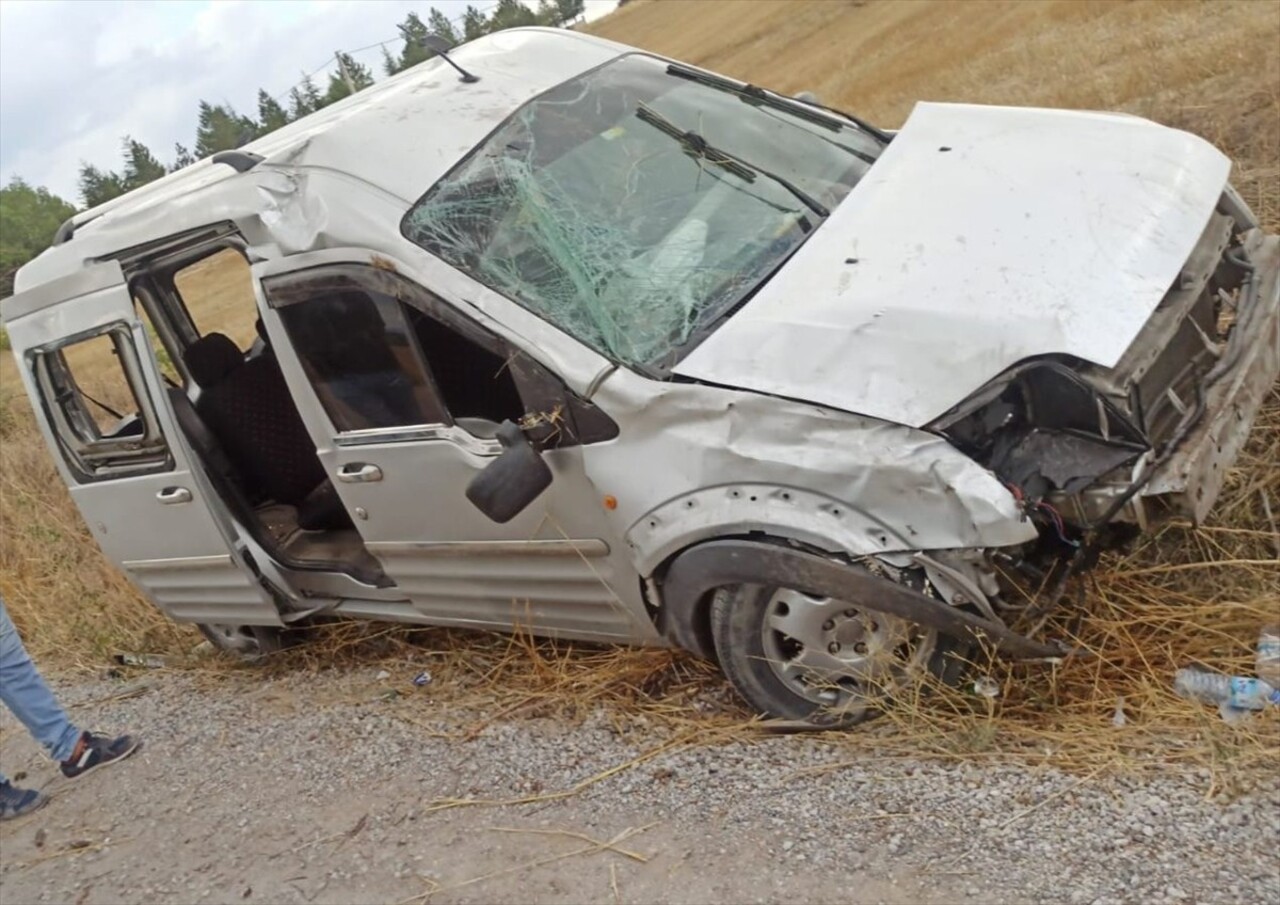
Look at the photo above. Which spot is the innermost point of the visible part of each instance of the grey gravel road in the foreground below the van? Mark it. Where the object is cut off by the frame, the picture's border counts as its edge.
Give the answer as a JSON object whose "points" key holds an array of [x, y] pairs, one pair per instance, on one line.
{"points": [[312, 789]]}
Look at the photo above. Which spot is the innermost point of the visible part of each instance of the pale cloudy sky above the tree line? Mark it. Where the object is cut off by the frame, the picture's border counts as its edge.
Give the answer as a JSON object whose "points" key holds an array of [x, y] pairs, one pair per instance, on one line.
{"points": [[77, 76]]}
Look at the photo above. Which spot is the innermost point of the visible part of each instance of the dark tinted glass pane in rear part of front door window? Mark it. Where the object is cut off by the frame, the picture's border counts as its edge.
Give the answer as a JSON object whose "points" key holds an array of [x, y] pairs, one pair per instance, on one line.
{"points": [[358, 350]]}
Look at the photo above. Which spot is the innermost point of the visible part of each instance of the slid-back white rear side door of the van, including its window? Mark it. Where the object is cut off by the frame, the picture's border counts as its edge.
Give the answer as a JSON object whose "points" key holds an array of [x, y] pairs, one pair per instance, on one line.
{"points": [[102, 405]]}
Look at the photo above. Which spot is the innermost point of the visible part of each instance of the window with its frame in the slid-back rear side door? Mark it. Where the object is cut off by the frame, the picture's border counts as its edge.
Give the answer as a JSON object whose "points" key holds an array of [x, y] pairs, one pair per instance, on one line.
{"points": [[94, 395]]}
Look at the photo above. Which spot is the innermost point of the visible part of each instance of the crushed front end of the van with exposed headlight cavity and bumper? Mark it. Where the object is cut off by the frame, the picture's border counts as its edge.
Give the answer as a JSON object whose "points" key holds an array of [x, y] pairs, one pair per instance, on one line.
{"points": [[1089, 450]]}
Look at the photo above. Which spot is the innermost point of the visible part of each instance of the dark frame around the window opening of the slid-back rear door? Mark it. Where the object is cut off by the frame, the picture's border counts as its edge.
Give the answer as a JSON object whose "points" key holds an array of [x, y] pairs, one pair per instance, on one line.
{"points": [[90, 456]]}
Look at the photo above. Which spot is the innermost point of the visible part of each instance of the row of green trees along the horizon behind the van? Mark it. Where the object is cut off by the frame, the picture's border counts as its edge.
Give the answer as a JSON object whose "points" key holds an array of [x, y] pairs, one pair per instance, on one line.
{"points": [[31, 216]]}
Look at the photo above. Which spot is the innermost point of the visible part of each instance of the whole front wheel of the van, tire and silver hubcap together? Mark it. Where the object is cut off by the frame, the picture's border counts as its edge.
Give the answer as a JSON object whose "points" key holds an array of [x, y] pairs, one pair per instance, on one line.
{"points": [[821, 661]]}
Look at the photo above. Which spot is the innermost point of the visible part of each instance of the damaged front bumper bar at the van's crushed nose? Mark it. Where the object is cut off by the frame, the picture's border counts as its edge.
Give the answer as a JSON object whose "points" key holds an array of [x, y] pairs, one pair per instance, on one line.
{"points": [[1190, 481]]}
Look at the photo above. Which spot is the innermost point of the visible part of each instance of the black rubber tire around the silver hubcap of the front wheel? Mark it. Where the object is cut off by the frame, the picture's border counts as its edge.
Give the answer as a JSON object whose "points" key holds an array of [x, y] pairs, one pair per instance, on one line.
{"points": [[738, 621]]}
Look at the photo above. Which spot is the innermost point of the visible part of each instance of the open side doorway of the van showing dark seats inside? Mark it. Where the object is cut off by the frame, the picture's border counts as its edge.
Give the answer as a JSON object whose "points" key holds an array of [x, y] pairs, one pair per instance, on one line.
{"points": [[234, 406]]}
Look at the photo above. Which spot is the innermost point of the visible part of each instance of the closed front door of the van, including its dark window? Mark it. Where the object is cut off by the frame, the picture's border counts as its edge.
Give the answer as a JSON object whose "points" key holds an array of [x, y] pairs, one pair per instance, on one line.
{"points": [[404, 394]]}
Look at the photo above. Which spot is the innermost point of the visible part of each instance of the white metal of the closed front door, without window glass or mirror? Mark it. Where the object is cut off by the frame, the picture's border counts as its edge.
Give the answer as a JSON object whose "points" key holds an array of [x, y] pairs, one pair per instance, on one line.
{"points": [[557, 569]]}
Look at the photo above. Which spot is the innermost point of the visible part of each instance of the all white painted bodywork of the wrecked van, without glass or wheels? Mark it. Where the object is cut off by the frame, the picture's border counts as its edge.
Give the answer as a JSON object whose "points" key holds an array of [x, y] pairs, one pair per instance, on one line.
{"points": [[981, 237]]}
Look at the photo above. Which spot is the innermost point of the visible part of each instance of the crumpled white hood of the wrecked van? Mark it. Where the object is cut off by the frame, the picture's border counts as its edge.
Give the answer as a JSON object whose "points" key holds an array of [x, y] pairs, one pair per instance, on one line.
{"points": [[982, 236]]}
